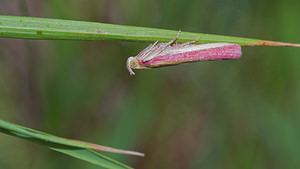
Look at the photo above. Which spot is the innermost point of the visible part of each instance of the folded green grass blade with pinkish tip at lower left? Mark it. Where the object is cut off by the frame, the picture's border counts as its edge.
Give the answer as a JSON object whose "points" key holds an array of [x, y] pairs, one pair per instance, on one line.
{"points": [[75, 148]]}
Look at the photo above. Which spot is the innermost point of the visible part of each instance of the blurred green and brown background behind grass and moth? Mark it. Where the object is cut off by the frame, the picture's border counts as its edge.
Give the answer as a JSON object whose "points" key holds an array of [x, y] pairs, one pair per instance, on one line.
{"points": [[223, 114]]}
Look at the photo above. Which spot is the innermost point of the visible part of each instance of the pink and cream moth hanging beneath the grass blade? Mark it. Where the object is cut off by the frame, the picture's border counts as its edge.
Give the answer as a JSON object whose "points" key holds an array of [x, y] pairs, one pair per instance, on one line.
{"points": [[170, 53]]}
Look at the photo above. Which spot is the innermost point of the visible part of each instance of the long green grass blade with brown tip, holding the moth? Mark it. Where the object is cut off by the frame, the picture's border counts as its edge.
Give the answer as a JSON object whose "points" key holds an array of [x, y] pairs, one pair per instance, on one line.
{"points": [[44, 28]]}
